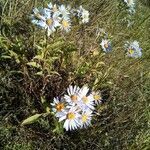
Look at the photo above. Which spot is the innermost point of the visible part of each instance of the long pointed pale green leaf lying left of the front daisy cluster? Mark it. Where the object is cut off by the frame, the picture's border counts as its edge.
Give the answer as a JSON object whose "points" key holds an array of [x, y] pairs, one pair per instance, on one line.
{"points": [[31, 119]]}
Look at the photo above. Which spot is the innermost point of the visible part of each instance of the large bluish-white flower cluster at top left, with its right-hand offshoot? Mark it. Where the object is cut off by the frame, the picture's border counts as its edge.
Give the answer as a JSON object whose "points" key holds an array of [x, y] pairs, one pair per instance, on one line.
{"points": [[55, 17]]}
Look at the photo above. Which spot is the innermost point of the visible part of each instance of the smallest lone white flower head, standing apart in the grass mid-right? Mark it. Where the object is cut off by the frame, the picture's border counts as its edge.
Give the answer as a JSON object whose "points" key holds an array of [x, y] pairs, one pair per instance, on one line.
{"points": [[106, 45]]}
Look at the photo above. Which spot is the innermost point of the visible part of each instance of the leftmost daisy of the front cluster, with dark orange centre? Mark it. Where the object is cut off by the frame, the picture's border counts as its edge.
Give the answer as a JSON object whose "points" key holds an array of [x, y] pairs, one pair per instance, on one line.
{"points": [[58, 107]]}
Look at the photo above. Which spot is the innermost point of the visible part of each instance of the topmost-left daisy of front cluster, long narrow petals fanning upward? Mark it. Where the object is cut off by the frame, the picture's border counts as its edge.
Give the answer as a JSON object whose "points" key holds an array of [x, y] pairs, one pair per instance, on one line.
{"points": [[72, 96]]}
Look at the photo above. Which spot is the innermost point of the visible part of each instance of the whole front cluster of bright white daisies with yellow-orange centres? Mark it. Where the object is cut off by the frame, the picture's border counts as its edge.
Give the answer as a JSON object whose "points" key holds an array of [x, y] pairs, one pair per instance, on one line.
{"points": [[76, 107]]}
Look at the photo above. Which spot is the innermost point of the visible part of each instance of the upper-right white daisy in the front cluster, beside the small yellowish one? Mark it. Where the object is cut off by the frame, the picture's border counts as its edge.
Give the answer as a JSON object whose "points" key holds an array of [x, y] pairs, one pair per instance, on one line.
{"points": [[86, 100]]}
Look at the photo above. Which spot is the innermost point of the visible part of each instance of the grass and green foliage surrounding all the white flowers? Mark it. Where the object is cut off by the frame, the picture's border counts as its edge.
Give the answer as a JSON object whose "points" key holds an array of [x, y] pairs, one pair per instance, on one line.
{"points": [[34, 69]]}
